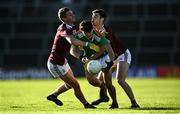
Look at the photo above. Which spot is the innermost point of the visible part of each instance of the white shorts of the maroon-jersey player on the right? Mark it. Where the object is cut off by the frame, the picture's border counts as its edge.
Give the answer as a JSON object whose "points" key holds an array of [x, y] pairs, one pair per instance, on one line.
{"points": [[125, 57]]}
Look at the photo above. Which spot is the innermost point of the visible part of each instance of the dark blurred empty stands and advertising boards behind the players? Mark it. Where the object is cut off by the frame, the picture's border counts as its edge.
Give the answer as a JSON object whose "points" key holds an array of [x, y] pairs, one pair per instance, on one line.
{"points": [[149, 28]]}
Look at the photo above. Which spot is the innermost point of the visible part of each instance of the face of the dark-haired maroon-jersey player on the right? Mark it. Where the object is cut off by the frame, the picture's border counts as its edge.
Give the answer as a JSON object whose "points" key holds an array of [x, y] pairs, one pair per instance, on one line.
{"points": [[96, 19]]}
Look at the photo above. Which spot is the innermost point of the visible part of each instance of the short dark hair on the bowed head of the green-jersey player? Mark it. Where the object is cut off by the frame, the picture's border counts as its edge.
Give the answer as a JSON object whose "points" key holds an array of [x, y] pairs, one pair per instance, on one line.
{"points": [[86, 26]]}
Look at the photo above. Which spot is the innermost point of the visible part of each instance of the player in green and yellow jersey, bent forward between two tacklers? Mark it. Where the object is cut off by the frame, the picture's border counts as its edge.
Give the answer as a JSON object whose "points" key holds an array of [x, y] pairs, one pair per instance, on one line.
{"points": [[99, 50]]}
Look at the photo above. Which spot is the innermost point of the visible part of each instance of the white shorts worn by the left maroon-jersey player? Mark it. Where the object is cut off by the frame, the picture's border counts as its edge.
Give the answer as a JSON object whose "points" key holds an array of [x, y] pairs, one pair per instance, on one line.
{"points": [[58, 70]]}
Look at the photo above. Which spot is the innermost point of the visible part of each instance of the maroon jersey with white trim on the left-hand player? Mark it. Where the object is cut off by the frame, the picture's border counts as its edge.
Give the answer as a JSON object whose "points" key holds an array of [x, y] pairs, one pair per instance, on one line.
{"points": [[60, 45]]}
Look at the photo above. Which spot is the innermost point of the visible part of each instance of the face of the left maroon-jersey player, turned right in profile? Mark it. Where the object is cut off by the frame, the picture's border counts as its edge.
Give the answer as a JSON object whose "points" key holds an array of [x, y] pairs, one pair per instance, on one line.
{"points": [[70, 17]]}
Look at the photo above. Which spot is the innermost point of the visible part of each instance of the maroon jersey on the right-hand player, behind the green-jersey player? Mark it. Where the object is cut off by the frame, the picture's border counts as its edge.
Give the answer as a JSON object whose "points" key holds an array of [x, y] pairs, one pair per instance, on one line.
{"points": [[118, 47]]}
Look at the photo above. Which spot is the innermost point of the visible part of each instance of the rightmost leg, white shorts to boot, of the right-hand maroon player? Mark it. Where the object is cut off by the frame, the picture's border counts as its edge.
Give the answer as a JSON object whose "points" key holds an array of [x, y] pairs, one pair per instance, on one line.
{"points": [[121, 73]]}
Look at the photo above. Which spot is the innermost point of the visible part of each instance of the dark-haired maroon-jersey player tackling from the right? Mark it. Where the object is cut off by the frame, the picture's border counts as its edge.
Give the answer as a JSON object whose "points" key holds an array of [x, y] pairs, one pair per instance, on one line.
{"points": [[122, 56]]}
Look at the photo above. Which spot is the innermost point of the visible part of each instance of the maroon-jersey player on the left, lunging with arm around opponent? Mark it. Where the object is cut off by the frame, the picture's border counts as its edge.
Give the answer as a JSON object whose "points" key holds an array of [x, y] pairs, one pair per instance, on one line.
{"points": [[57, 62]]}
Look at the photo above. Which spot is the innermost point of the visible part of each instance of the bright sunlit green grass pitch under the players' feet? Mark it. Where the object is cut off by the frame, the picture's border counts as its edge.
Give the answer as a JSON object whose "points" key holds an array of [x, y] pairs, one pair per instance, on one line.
{"points": [[29, 96]]}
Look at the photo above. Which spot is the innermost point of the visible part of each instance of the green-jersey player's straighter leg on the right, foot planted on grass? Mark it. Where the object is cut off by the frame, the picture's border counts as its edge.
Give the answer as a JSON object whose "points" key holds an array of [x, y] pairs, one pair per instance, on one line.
{"points": [[111, 89]]}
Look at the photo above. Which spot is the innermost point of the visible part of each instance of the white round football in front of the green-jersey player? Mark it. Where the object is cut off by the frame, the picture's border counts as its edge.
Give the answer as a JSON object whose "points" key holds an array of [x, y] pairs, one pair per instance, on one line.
{"points": [[93, 67]]}
